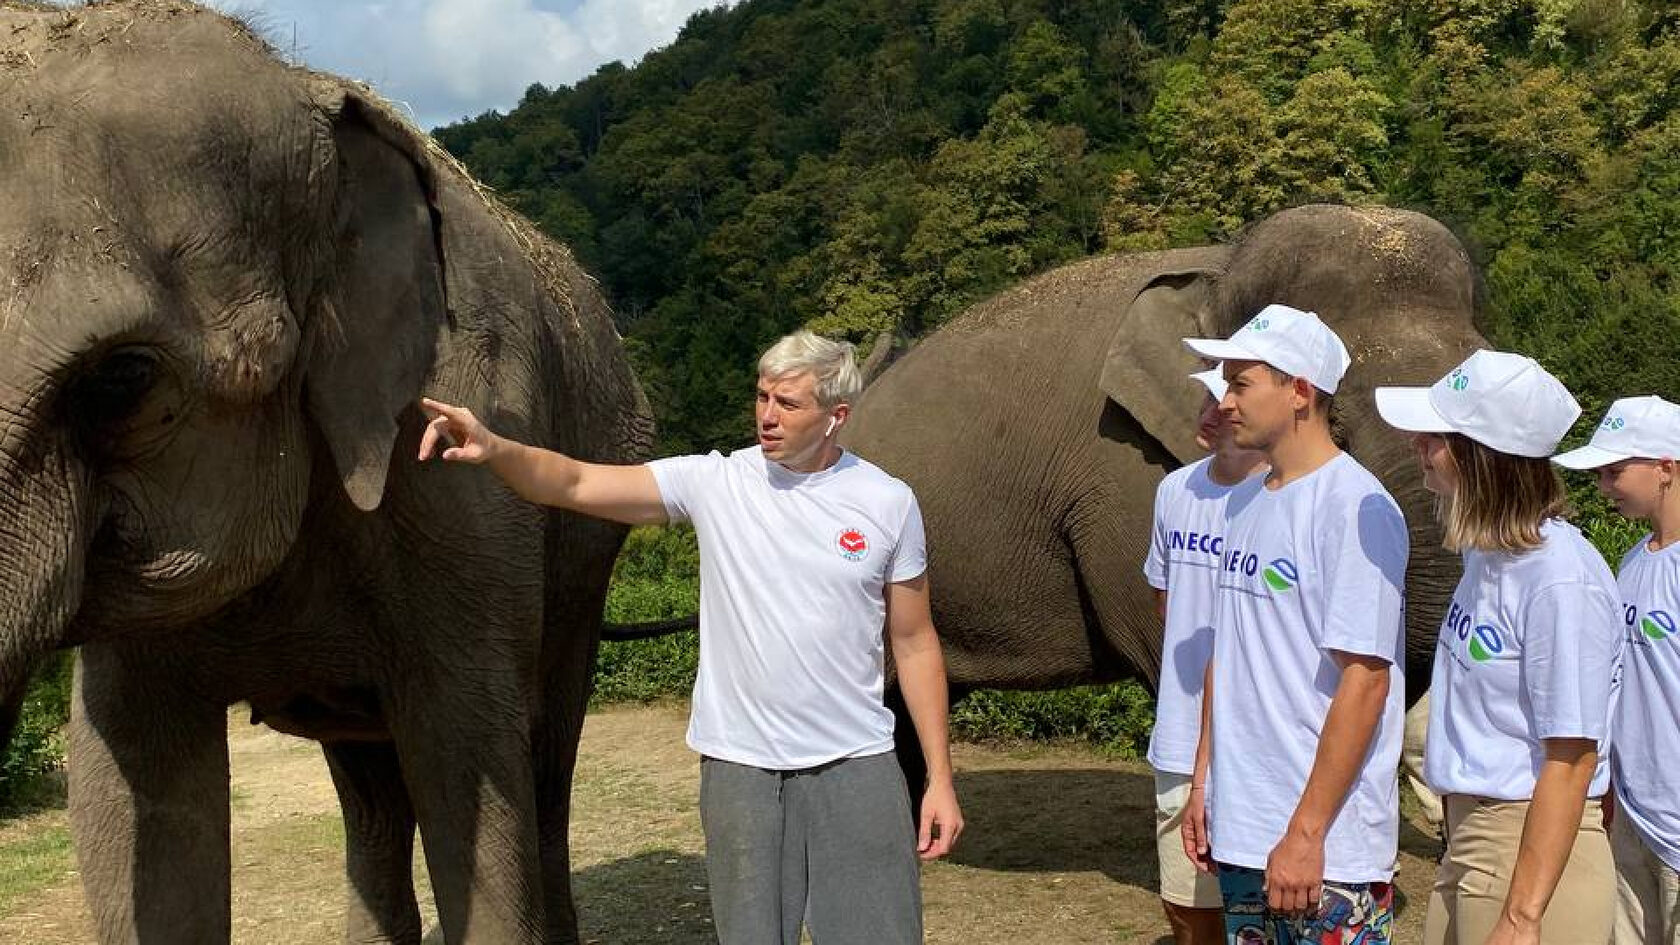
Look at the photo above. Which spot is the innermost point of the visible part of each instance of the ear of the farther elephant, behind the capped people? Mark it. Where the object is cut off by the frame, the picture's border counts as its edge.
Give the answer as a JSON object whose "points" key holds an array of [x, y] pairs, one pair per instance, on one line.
{"points": [[1148, 364]]}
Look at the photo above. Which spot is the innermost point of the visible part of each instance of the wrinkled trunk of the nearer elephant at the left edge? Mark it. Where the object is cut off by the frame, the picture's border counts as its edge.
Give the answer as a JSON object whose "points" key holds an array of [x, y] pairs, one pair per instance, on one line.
{"points": [[45, 519]]}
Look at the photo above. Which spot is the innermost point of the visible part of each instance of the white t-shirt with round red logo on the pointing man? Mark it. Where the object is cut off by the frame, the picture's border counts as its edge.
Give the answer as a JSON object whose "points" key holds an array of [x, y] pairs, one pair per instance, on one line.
{"points": [[794, 573]]}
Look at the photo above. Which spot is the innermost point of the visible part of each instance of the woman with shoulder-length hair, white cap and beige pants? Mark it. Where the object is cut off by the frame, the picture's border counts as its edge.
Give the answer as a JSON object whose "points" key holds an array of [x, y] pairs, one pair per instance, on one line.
{"points": [[1525, 665]]}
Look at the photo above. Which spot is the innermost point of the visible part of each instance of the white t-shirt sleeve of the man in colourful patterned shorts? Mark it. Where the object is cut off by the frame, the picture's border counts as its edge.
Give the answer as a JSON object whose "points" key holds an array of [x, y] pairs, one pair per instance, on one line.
{"points": [[1363, 561]]}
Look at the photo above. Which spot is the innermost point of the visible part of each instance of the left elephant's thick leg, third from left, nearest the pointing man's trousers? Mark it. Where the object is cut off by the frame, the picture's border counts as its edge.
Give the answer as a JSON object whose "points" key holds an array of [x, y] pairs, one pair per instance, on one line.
{"points": [[466, 758]]}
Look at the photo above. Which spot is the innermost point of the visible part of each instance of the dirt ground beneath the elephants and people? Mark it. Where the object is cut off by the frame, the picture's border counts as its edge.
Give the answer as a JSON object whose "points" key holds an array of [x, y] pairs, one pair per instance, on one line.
{"points": [[1059, 848]]}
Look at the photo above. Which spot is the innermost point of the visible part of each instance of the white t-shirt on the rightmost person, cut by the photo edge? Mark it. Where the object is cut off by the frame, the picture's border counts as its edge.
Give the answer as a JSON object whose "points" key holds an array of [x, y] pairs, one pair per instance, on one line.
{"points": [[1647, 715]]}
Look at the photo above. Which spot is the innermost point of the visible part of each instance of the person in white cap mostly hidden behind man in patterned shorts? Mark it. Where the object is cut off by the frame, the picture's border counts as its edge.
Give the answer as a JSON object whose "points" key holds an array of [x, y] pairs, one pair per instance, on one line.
{"points": [[1184, 562]]}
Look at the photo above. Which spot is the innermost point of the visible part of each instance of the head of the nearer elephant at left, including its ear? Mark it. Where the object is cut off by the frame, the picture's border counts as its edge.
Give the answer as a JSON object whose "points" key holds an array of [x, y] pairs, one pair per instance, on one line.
{"points": [[221, 285]]}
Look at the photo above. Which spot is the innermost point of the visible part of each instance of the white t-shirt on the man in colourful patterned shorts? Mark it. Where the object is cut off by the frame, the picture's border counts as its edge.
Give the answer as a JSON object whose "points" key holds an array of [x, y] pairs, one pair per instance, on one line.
{"points": [[1313, 568]]}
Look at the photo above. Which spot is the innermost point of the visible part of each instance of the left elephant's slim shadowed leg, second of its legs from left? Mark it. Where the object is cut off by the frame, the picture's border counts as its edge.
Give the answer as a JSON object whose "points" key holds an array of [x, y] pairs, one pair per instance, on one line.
{"points": [[379, 843]]}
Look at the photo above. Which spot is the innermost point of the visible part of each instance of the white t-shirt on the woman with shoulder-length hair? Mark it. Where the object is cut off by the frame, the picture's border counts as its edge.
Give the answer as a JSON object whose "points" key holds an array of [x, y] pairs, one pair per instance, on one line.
{"points": [[1530, 650]]}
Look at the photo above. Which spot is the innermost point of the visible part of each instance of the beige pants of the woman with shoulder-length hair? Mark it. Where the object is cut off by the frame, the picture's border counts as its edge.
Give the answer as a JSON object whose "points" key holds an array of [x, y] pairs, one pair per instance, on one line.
{"points": [[1483, 840]]}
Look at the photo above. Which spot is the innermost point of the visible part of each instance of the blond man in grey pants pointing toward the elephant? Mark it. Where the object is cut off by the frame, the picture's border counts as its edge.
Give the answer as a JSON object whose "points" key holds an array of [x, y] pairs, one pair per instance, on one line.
{"points": [[811, 561]]}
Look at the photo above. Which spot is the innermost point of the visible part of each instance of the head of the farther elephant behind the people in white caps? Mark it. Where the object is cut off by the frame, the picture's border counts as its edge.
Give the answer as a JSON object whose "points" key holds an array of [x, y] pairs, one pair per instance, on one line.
{"points": [[1399, 290]]}
